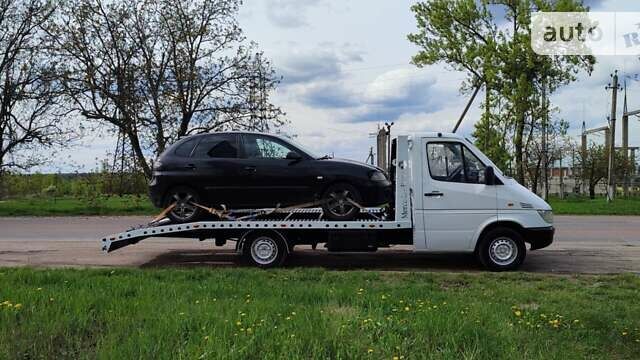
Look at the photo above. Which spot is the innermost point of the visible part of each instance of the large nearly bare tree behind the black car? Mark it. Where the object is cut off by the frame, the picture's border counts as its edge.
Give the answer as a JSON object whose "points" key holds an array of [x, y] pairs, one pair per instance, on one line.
{"points": [[159, 69]]}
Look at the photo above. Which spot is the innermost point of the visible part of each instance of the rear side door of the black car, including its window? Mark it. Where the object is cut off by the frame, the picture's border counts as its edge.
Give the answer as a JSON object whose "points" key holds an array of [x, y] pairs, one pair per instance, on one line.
{"points": [[215, 161]]}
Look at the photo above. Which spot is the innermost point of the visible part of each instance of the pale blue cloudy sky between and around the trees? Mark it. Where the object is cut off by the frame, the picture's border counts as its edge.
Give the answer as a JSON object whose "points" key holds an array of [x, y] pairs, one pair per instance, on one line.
{"points": [[346, 68]]}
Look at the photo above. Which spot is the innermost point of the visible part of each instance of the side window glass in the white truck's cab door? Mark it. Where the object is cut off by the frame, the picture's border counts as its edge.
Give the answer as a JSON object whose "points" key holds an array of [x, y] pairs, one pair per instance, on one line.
{"points": [[453, 162]]}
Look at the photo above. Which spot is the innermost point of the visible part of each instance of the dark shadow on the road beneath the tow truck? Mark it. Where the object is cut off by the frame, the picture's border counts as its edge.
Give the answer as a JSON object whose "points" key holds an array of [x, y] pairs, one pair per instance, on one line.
{"points": [[387, 260]]}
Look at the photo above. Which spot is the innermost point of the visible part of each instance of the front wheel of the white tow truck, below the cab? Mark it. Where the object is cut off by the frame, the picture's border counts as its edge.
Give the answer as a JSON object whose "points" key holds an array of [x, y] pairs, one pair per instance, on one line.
{"points": [[502, 249]]}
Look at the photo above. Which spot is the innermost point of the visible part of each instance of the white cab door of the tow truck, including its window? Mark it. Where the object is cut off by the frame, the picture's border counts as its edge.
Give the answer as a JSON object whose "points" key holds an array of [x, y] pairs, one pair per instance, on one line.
{"points": [[456, 200]]}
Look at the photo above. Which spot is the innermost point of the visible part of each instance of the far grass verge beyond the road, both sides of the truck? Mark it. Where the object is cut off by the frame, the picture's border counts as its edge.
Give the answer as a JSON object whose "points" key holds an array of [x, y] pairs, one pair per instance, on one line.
{"points": [[132, 205]]}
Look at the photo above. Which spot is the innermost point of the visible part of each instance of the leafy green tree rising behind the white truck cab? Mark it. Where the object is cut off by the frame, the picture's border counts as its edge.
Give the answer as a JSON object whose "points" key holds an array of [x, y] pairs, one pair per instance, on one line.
{"points": [[464, 34]]}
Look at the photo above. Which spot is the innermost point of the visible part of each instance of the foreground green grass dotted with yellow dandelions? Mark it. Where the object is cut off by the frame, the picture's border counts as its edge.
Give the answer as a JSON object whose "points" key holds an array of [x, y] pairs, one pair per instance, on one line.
{"points": [[301, 314]]}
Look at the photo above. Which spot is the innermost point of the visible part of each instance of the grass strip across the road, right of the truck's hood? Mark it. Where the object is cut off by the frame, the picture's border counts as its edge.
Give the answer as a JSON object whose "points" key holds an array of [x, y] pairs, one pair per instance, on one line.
{"points": [[598, 206]]}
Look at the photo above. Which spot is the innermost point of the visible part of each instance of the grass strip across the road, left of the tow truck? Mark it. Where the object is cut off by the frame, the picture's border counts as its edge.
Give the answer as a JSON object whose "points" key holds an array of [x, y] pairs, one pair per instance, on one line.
{"points": [[126, 205]]}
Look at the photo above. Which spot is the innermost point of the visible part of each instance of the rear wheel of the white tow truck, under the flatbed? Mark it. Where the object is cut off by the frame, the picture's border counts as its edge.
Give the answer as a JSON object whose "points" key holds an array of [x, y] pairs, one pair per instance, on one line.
{"points": [[265, 249]]}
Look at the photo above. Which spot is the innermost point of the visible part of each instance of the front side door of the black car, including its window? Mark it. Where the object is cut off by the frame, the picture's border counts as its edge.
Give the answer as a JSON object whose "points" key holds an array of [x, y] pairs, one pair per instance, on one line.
{"points": [[269, 177]]}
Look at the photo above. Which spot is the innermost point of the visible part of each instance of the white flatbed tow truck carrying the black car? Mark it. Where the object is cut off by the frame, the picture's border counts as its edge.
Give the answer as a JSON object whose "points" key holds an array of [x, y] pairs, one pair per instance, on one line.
{"points": [[449, 198]]}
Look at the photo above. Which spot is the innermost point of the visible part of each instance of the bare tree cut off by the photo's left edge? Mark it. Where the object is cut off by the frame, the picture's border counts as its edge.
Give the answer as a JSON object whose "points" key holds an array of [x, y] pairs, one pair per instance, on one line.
{"points": [[28, 89]]}
